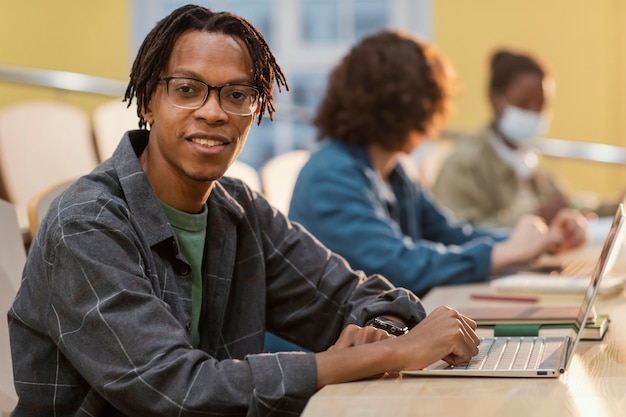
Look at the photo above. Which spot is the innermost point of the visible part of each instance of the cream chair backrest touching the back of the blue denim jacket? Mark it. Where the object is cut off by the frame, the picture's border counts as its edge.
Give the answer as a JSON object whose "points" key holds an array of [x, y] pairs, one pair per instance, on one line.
{"points": [[279, 175]]}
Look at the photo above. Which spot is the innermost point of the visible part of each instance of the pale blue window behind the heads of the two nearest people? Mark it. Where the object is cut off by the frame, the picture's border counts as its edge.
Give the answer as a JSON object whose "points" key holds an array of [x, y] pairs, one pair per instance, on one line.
{"points": [[324, 30]]}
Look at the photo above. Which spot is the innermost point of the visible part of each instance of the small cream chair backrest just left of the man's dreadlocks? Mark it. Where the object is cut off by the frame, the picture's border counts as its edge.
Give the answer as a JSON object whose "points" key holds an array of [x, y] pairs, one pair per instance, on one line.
{"points": [[110, 120]]}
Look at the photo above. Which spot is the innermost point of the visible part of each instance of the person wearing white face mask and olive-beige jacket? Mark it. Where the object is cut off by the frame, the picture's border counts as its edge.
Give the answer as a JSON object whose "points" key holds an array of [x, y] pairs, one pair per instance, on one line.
{"points": [[493, 177]]}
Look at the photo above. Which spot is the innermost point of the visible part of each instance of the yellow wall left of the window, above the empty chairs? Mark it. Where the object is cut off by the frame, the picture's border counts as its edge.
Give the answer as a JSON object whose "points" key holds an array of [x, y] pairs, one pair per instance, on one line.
{"points": [[89, 37]]}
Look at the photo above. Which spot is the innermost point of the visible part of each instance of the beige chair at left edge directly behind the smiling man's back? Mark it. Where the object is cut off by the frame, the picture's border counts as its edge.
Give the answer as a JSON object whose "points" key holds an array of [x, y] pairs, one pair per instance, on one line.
{"points": [[12, 259]]}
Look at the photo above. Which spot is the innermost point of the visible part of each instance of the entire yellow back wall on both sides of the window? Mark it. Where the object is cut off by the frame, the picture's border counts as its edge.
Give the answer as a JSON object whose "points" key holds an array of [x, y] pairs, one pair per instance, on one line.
{"points": [[583, 42]]}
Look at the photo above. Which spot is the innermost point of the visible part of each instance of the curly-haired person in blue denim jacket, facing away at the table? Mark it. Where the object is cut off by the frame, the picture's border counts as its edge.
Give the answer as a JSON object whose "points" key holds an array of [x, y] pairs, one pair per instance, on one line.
{"points": [[387, 94]]}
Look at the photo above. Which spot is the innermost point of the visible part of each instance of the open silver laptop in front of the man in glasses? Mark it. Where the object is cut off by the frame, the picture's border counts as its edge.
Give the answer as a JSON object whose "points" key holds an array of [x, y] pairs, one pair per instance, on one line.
{"points": [[536, 356]]}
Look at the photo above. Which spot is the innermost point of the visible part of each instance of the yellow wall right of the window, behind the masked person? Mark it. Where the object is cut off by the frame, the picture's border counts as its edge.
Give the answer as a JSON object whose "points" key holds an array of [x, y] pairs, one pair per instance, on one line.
{"points": [[584, 44]]}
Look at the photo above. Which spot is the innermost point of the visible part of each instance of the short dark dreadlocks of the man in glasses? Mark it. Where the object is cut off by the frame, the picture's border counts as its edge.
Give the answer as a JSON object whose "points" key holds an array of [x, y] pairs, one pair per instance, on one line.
{"points": [[157, 47]]}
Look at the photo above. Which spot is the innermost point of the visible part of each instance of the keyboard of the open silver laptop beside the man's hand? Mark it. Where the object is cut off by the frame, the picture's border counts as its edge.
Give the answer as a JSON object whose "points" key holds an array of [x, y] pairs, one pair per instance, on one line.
{"points": [[516, 353]]}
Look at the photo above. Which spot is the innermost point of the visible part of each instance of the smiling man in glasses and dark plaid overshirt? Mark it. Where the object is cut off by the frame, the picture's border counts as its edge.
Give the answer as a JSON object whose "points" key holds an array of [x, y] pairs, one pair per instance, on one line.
{"points": [[152, 280]]}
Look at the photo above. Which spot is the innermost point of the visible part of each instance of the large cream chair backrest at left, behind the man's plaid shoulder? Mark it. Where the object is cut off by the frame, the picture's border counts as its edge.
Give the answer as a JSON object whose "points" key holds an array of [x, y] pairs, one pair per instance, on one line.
{"points": [[42, 143]]}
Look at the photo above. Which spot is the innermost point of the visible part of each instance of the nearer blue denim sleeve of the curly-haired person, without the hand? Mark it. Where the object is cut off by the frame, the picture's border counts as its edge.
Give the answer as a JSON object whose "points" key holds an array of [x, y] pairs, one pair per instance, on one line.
{"points": [[340, 208]]}
